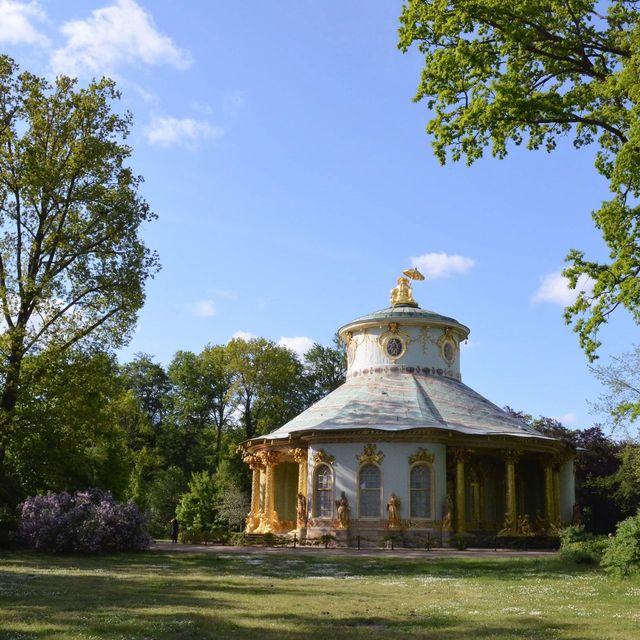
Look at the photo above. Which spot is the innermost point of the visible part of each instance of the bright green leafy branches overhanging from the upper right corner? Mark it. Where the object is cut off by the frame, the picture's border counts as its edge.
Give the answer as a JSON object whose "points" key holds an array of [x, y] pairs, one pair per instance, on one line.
{"points": [[530, 72]]}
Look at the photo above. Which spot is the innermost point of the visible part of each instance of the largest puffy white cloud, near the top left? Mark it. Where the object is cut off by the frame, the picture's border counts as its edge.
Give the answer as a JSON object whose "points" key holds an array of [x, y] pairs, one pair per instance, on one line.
{"points": [[112, 36]]}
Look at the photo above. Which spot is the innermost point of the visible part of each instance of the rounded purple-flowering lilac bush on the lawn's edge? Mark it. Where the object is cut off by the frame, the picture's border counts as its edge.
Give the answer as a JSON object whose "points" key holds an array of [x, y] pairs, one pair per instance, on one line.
{"points": [[86, 521]]}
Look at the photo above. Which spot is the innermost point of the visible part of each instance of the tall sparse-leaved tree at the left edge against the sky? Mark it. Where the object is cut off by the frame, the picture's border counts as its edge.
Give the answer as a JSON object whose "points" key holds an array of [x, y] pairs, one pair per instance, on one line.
{"points": [[72, 267]]}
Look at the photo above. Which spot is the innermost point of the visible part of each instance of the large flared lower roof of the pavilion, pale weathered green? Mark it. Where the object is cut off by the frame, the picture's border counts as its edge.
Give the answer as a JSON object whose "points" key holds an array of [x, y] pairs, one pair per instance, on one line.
{"points": [[404, 401]]}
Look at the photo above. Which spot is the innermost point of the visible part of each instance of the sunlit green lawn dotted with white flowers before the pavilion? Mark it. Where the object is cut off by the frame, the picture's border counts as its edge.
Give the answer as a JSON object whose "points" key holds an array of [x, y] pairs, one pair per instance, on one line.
{"points": [[162, 595]]}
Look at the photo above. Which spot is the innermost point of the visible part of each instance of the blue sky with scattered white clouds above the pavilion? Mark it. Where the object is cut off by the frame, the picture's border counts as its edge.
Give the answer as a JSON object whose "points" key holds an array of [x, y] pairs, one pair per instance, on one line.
{"points": [[293, 181]]}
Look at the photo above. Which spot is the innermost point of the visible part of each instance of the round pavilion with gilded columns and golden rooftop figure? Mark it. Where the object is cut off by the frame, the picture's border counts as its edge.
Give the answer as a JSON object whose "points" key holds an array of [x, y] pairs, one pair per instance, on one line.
{"points": [[403, 446]]}
